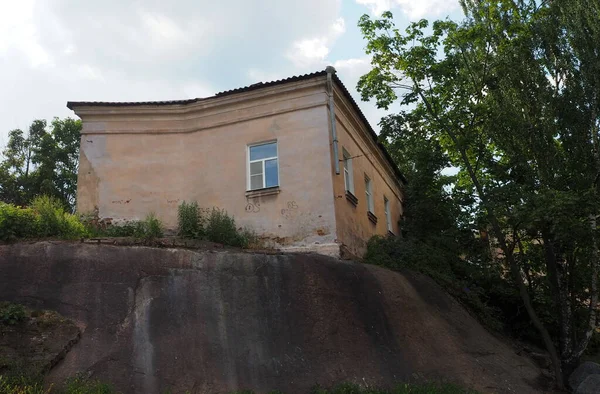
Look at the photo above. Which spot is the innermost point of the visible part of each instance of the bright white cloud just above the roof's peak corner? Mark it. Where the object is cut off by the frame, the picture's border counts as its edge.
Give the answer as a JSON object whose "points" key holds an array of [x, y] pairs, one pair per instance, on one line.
{"points": [[311, 52]]}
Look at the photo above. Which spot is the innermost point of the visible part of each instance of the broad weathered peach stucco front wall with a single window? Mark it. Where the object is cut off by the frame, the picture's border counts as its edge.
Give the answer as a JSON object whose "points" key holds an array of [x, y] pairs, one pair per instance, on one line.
{"points": [[141, 159]]}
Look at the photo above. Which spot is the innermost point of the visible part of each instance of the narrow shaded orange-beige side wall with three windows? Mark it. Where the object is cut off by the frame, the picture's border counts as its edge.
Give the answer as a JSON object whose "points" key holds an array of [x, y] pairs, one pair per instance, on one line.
{"points": [[353, 225]]}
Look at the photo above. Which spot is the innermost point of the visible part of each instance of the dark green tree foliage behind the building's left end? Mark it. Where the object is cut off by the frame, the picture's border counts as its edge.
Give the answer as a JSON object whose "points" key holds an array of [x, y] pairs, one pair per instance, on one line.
{"points": [[41, 162]]}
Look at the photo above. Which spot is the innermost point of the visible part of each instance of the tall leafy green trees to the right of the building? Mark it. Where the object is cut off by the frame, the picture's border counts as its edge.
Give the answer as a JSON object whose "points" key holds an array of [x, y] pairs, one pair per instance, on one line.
{"points": [[510, 95]]}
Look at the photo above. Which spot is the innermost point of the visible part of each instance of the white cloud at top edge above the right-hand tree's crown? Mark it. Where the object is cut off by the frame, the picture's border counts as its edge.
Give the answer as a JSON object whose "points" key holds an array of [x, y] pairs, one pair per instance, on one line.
{"points": [[413, 9]]}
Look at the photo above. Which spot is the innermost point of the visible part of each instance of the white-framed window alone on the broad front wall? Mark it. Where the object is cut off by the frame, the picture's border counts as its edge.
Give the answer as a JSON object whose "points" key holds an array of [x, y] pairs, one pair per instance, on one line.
{"points": [[263, 166]]}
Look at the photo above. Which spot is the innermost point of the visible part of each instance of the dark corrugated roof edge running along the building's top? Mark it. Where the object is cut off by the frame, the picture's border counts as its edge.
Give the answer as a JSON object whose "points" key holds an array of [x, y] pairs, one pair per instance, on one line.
{"points": [[72, 104]]}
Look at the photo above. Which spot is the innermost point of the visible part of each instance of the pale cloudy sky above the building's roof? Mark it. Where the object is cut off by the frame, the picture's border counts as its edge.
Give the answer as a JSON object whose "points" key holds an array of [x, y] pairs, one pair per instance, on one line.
{"points": [[52, 51]]}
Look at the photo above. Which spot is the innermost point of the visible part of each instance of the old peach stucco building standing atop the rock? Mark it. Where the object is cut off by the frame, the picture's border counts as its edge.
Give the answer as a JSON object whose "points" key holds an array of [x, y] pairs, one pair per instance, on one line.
{"points": [[294, 159]]}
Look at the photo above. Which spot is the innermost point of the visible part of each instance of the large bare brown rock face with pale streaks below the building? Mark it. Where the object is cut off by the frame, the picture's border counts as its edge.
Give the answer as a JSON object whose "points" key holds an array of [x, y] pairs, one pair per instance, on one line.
{"points": [[215, 321]]}
